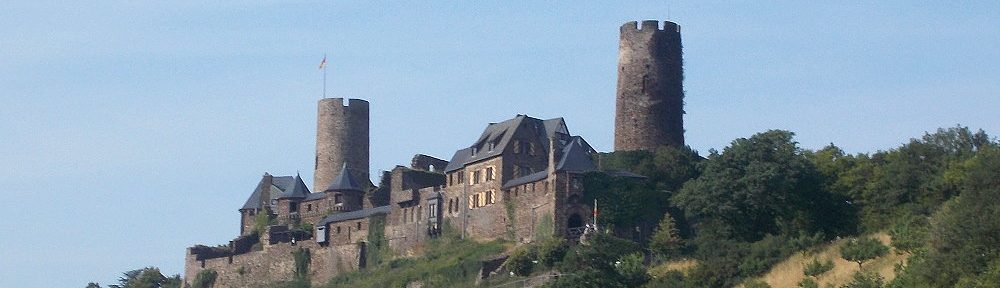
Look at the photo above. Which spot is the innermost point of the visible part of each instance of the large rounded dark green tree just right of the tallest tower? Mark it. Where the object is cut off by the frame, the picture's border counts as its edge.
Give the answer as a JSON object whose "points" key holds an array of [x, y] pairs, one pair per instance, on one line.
{"points": [[757, 186]]}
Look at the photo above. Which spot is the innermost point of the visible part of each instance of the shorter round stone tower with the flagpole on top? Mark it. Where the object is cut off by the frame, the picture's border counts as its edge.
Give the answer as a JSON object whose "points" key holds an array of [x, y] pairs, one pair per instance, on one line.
{"points": [[341, 137]]}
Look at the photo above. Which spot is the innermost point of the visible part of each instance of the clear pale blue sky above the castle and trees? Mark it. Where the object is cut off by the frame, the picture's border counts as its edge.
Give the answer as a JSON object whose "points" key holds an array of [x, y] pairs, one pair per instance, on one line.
{"points": [[133, 129]]}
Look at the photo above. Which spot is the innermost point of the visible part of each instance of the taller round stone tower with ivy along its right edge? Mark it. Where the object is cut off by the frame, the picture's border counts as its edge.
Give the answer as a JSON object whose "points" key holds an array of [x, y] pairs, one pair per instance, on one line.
{"points": [[649, 105]]}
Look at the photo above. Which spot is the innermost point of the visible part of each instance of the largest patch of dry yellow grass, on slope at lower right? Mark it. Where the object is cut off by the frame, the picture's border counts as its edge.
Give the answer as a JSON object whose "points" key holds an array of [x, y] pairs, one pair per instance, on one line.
{"points": [[788, 273]]}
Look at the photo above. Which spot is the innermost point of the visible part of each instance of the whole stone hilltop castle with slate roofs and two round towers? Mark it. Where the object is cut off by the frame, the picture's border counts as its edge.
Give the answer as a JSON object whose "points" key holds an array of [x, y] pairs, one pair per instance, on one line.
{"points": [[520, 180]]}
